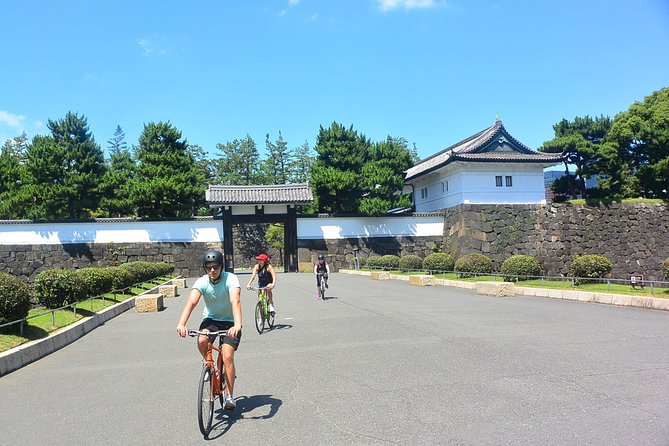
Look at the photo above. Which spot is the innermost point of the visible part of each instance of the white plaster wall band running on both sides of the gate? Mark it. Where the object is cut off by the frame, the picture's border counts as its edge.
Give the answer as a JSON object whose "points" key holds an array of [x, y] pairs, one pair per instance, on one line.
{"points": [[210, 230]]}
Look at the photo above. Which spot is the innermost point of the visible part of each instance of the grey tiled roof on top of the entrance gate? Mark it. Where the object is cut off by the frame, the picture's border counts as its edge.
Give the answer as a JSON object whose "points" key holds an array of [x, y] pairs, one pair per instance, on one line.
{"points": [[299, 193]]}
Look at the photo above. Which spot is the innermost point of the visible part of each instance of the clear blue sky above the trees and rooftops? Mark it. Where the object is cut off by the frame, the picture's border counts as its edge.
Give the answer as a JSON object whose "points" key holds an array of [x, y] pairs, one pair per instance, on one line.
{"points": [[431, 71]]}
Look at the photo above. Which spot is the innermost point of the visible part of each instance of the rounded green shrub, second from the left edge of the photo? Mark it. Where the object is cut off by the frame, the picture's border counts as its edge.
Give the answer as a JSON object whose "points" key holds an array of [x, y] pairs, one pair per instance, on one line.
{"points": [[58, 287]]}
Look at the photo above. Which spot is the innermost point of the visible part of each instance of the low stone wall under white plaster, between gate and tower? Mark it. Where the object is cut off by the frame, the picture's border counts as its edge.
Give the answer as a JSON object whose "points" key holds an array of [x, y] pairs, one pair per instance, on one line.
{"points": [[340, 253]]}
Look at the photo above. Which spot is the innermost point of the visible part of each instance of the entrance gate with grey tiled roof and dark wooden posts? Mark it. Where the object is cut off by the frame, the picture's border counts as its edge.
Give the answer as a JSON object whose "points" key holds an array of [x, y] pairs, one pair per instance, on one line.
{"points": [[260, 204]]}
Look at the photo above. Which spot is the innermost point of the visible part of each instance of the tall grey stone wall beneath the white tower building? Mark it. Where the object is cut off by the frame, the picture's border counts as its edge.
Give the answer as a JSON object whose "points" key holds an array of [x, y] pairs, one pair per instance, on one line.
{"points": [[635, 236]]}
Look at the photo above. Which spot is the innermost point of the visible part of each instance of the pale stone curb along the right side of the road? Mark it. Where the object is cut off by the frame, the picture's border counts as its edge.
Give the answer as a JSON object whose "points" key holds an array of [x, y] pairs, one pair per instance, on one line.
{"points": [[622, 300]]}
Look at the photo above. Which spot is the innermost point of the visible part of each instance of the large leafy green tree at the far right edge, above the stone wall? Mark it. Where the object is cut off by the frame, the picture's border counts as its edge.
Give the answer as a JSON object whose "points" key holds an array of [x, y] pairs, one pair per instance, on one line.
{"points": [[639, 148]]}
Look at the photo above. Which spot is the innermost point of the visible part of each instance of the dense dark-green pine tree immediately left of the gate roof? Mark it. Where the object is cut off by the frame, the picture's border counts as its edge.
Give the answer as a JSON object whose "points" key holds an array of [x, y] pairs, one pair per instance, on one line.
{"points": [[168, 182]]}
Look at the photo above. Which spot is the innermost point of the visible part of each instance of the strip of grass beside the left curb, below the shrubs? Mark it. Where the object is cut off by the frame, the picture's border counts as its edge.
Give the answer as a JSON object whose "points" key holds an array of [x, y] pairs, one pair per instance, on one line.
{"points": [[40, 326]]}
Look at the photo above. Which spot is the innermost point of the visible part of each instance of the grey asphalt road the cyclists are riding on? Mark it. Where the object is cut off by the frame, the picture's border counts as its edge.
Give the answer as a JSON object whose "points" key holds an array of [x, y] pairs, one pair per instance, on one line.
{"points": [[379, 363]]}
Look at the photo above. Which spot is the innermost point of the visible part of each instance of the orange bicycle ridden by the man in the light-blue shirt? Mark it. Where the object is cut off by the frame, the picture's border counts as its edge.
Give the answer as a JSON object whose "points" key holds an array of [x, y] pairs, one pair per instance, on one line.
{"points": [[212, 380]]}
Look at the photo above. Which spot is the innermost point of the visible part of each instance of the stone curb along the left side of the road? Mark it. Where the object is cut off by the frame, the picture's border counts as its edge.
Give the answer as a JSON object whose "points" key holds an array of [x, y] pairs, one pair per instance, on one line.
{"points": [[24, 354]]}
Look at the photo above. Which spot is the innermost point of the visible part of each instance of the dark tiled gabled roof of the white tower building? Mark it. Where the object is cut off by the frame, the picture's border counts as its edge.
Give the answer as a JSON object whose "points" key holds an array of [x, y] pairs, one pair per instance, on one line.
{"points": [[481, 147]]}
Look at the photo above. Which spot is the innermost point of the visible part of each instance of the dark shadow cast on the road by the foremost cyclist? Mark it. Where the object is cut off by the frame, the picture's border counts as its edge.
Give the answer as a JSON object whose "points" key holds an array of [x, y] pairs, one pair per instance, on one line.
{"points": [[225, 419]]}
